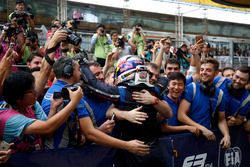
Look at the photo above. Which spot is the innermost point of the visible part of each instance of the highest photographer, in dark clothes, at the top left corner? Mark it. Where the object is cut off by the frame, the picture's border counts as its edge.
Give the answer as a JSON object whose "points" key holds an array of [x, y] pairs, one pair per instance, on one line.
{"points": [[24, 18]]}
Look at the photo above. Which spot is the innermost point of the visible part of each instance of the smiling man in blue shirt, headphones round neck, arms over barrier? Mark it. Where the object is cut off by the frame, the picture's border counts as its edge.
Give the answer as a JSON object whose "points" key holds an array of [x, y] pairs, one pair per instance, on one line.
{"points": [[201, 103]]}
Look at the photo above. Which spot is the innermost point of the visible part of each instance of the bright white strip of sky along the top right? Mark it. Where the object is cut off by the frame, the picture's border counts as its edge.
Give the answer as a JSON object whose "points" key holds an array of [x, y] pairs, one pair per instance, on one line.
{"points": [[171, 7]]}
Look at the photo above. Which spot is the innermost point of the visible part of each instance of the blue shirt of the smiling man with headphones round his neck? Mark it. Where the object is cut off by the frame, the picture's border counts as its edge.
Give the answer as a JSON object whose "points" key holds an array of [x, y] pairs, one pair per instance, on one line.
{"points": [[202, 104]]}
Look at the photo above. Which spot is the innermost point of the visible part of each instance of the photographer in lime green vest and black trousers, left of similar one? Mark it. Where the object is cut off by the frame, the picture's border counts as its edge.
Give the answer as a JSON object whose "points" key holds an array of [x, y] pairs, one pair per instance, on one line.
{"points": [[101, 44]]}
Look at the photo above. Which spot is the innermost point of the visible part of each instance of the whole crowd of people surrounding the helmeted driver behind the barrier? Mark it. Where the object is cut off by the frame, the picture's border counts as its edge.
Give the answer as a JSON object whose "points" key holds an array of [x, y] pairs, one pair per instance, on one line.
{"points": [[135, 91]]}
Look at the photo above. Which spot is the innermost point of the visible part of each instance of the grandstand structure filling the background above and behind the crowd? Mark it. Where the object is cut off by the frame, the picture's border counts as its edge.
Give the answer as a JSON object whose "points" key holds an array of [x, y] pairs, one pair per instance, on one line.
{"points": [[230, 40]]}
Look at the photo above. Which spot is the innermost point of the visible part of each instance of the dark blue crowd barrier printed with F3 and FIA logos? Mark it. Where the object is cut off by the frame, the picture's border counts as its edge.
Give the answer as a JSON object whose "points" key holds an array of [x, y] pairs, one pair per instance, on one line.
{"points": [[180, 150]]}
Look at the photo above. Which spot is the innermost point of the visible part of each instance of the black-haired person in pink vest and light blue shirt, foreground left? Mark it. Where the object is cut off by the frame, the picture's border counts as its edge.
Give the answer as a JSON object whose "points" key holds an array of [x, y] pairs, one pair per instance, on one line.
{"points": [[25, 121]]}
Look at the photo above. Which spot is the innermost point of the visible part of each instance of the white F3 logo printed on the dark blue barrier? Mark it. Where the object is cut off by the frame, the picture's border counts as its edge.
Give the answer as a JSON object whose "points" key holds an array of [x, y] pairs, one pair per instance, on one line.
{"points": [[195, 160]]}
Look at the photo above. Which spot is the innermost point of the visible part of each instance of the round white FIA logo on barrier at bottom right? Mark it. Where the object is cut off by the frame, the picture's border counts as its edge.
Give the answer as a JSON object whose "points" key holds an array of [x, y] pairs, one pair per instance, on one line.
{"points": [[232, 157]]}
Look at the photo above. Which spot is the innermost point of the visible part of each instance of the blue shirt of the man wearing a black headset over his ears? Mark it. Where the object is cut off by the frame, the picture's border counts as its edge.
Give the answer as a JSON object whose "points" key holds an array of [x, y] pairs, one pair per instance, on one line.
{"points": [[60, 137]]}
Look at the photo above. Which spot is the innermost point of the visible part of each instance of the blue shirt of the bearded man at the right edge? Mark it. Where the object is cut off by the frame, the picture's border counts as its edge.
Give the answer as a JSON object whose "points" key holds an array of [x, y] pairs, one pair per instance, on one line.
{"points": [[233, 101]]}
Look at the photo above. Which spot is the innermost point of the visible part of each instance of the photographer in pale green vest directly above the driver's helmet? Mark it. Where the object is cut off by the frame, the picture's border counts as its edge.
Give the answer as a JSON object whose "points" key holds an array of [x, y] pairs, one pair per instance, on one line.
{"points": [[136, 39]]}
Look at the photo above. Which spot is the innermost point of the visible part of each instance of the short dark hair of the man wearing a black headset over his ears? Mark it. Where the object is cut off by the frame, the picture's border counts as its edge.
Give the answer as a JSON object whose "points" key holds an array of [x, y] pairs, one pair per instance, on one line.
{"points": [[58, 66]]}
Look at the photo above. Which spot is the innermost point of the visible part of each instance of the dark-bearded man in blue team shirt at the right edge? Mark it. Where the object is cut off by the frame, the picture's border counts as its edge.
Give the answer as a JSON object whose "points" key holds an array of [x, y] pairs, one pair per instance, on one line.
{"points": [[237, 97]]}
